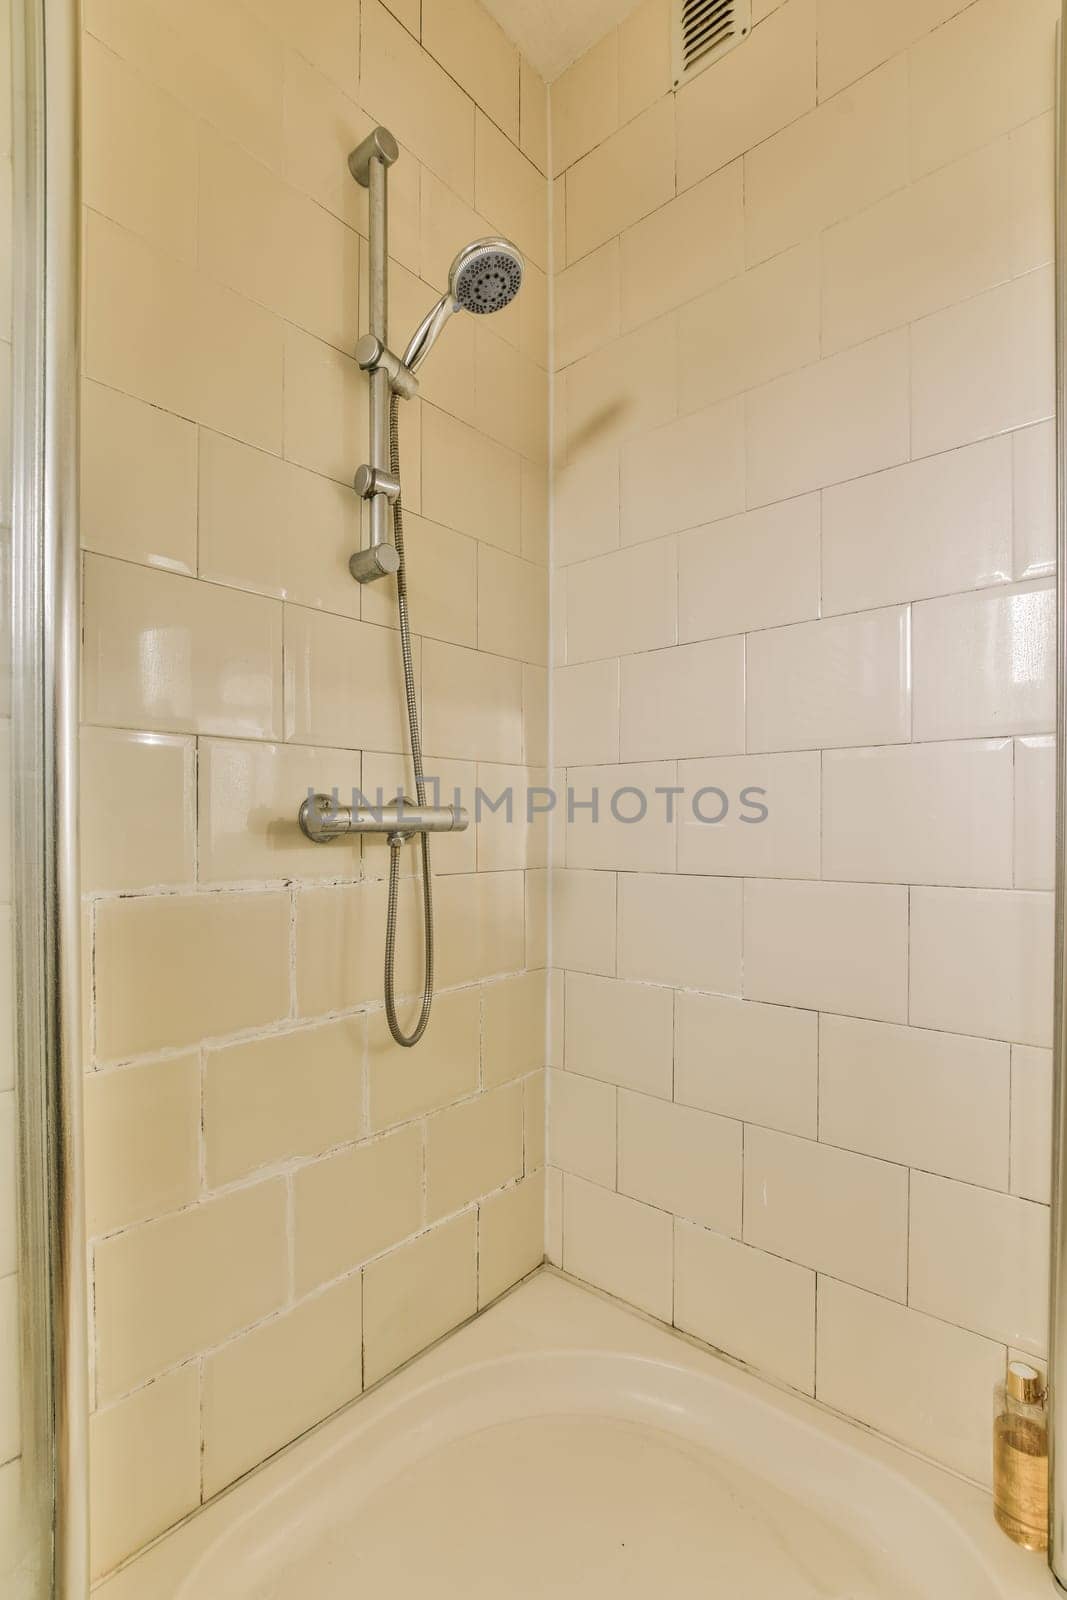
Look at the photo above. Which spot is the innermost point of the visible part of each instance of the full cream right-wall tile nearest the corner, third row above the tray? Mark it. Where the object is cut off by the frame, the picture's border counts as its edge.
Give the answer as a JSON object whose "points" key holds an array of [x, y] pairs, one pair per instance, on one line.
{"points": [[620, 1033]]}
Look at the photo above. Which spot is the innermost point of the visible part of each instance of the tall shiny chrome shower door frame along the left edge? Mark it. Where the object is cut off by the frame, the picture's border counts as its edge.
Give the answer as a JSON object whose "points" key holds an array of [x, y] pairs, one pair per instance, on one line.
{"points": [[46, 890]]}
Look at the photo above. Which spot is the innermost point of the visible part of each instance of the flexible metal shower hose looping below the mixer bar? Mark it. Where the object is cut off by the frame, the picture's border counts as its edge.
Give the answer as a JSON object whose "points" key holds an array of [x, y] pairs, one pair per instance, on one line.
{"points": [[396, 844]]}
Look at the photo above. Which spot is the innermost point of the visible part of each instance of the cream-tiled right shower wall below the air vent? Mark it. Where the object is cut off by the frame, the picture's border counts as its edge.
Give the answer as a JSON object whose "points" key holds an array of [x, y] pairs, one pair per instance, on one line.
{"points": [[804, 534]]}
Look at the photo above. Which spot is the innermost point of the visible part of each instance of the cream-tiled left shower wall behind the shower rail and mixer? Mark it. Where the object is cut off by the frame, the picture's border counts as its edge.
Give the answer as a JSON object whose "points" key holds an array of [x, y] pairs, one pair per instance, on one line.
{"points": [[284, 1207]]}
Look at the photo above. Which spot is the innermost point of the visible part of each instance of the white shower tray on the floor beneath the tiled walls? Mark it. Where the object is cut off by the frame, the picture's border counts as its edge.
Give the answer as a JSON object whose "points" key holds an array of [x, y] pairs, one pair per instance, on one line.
{"points": [[562, 1446]]}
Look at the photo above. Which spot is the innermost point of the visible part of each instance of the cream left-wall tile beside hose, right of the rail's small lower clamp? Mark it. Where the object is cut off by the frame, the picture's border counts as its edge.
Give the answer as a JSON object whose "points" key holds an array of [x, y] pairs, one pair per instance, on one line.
{"points": [[454, 460]]}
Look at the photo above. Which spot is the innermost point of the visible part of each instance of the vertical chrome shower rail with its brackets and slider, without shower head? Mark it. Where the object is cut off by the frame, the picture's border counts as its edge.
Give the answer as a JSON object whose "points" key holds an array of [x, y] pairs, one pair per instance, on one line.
{"points": [[370, 166]]}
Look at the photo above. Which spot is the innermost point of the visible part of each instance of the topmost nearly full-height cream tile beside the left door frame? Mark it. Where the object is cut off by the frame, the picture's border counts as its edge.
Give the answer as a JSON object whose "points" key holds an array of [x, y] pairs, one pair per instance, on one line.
{"points": [[138, 154]]}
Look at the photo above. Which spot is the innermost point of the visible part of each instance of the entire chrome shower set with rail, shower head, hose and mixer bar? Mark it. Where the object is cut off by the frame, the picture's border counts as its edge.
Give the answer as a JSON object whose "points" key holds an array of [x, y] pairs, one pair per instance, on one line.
{"points": [[486, 278]]}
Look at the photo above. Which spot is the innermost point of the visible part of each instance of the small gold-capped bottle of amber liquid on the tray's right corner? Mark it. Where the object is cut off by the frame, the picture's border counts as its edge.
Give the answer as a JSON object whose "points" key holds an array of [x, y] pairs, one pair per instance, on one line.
{"points": [[1021, 1457]]}
